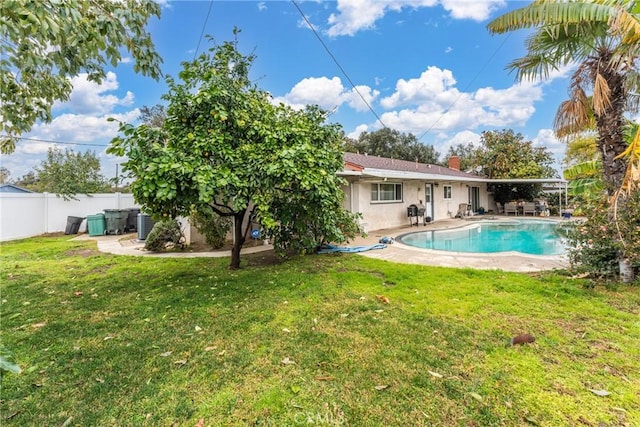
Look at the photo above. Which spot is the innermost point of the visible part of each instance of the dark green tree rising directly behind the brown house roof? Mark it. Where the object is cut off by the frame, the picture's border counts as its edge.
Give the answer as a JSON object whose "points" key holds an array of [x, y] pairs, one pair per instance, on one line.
{"points": [[393, 144]]}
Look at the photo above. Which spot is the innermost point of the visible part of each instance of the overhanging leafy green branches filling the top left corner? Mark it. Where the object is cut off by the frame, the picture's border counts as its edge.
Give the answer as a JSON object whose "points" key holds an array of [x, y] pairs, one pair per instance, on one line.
{"points": [[45, 42]]}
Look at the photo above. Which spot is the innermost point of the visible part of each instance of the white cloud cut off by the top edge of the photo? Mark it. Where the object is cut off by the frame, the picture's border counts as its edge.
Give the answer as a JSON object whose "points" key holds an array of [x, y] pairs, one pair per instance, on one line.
{"points": [[357, 15]]}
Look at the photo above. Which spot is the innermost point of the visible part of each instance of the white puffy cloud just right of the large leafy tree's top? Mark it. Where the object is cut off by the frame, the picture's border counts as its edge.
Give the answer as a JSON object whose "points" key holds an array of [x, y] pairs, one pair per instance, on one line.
{"points": [[328, 93]]}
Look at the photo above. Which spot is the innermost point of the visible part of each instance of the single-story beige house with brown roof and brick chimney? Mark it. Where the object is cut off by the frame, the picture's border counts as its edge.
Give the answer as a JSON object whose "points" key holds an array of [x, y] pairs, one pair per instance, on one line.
{"points": [[382, 189]]}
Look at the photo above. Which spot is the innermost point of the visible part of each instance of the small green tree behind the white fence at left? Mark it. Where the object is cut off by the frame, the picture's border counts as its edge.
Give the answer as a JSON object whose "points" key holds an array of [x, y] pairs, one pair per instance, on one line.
{"points": [[67, 173]]}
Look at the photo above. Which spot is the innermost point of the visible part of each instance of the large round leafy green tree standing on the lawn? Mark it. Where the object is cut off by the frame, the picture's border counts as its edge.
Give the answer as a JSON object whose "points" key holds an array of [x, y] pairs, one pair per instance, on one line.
{"points": [[225, 147]]}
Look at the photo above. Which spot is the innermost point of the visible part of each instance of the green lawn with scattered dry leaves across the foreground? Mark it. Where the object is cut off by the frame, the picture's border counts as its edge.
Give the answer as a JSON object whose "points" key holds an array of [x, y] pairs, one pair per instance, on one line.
{"points": [[113, 340]]}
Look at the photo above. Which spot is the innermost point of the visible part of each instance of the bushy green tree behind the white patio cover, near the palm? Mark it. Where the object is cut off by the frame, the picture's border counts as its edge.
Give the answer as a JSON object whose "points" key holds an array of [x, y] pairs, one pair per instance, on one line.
{"points": [[505, 154]]}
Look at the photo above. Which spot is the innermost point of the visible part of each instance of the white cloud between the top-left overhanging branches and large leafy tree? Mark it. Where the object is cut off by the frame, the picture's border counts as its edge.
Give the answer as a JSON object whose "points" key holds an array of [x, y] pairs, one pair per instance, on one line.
{"points": [[88, 97]]}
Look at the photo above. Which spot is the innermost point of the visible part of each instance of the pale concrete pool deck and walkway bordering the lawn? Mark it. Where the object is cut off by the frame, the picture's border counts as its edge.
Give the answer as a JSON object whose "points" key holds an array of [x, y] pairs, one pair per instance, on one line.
{"points": [[396, 252]]}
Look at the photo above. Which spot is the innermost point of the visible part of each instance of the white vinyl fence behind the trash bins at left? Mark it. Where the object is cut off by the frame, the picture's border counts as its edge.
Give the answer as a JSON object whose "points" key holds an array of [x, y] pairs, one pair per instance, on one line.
{"points": [[32, 214]]}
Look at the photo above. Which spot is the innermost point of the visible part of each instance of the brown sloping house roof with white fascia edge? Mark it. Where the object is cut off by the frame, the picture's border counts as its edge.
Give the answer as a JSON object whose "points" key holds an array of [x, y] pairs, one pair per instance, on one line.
{"points": [[383, 167]]}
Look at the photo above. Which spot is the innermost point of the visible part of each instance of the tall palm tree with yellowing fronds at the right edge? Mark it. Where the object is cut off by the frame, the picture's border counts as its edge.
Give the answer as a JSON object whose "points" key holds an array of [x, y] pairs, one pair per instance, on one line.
{"points": [[602, 38]]}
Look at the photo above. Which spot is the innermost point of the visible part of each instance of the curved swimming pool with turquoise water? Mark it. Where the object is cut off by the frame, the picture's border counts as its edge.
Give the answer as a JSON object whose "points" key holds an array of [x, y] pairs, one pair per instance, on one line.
{"points": [[535, 237]]}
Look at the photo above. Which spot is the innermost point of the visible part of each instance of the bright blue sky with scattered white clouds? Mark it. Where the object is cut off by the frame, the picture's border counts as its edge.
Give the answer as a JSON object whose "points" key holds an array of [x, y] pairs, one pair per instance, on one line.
{"points": [[426, 67]]}
